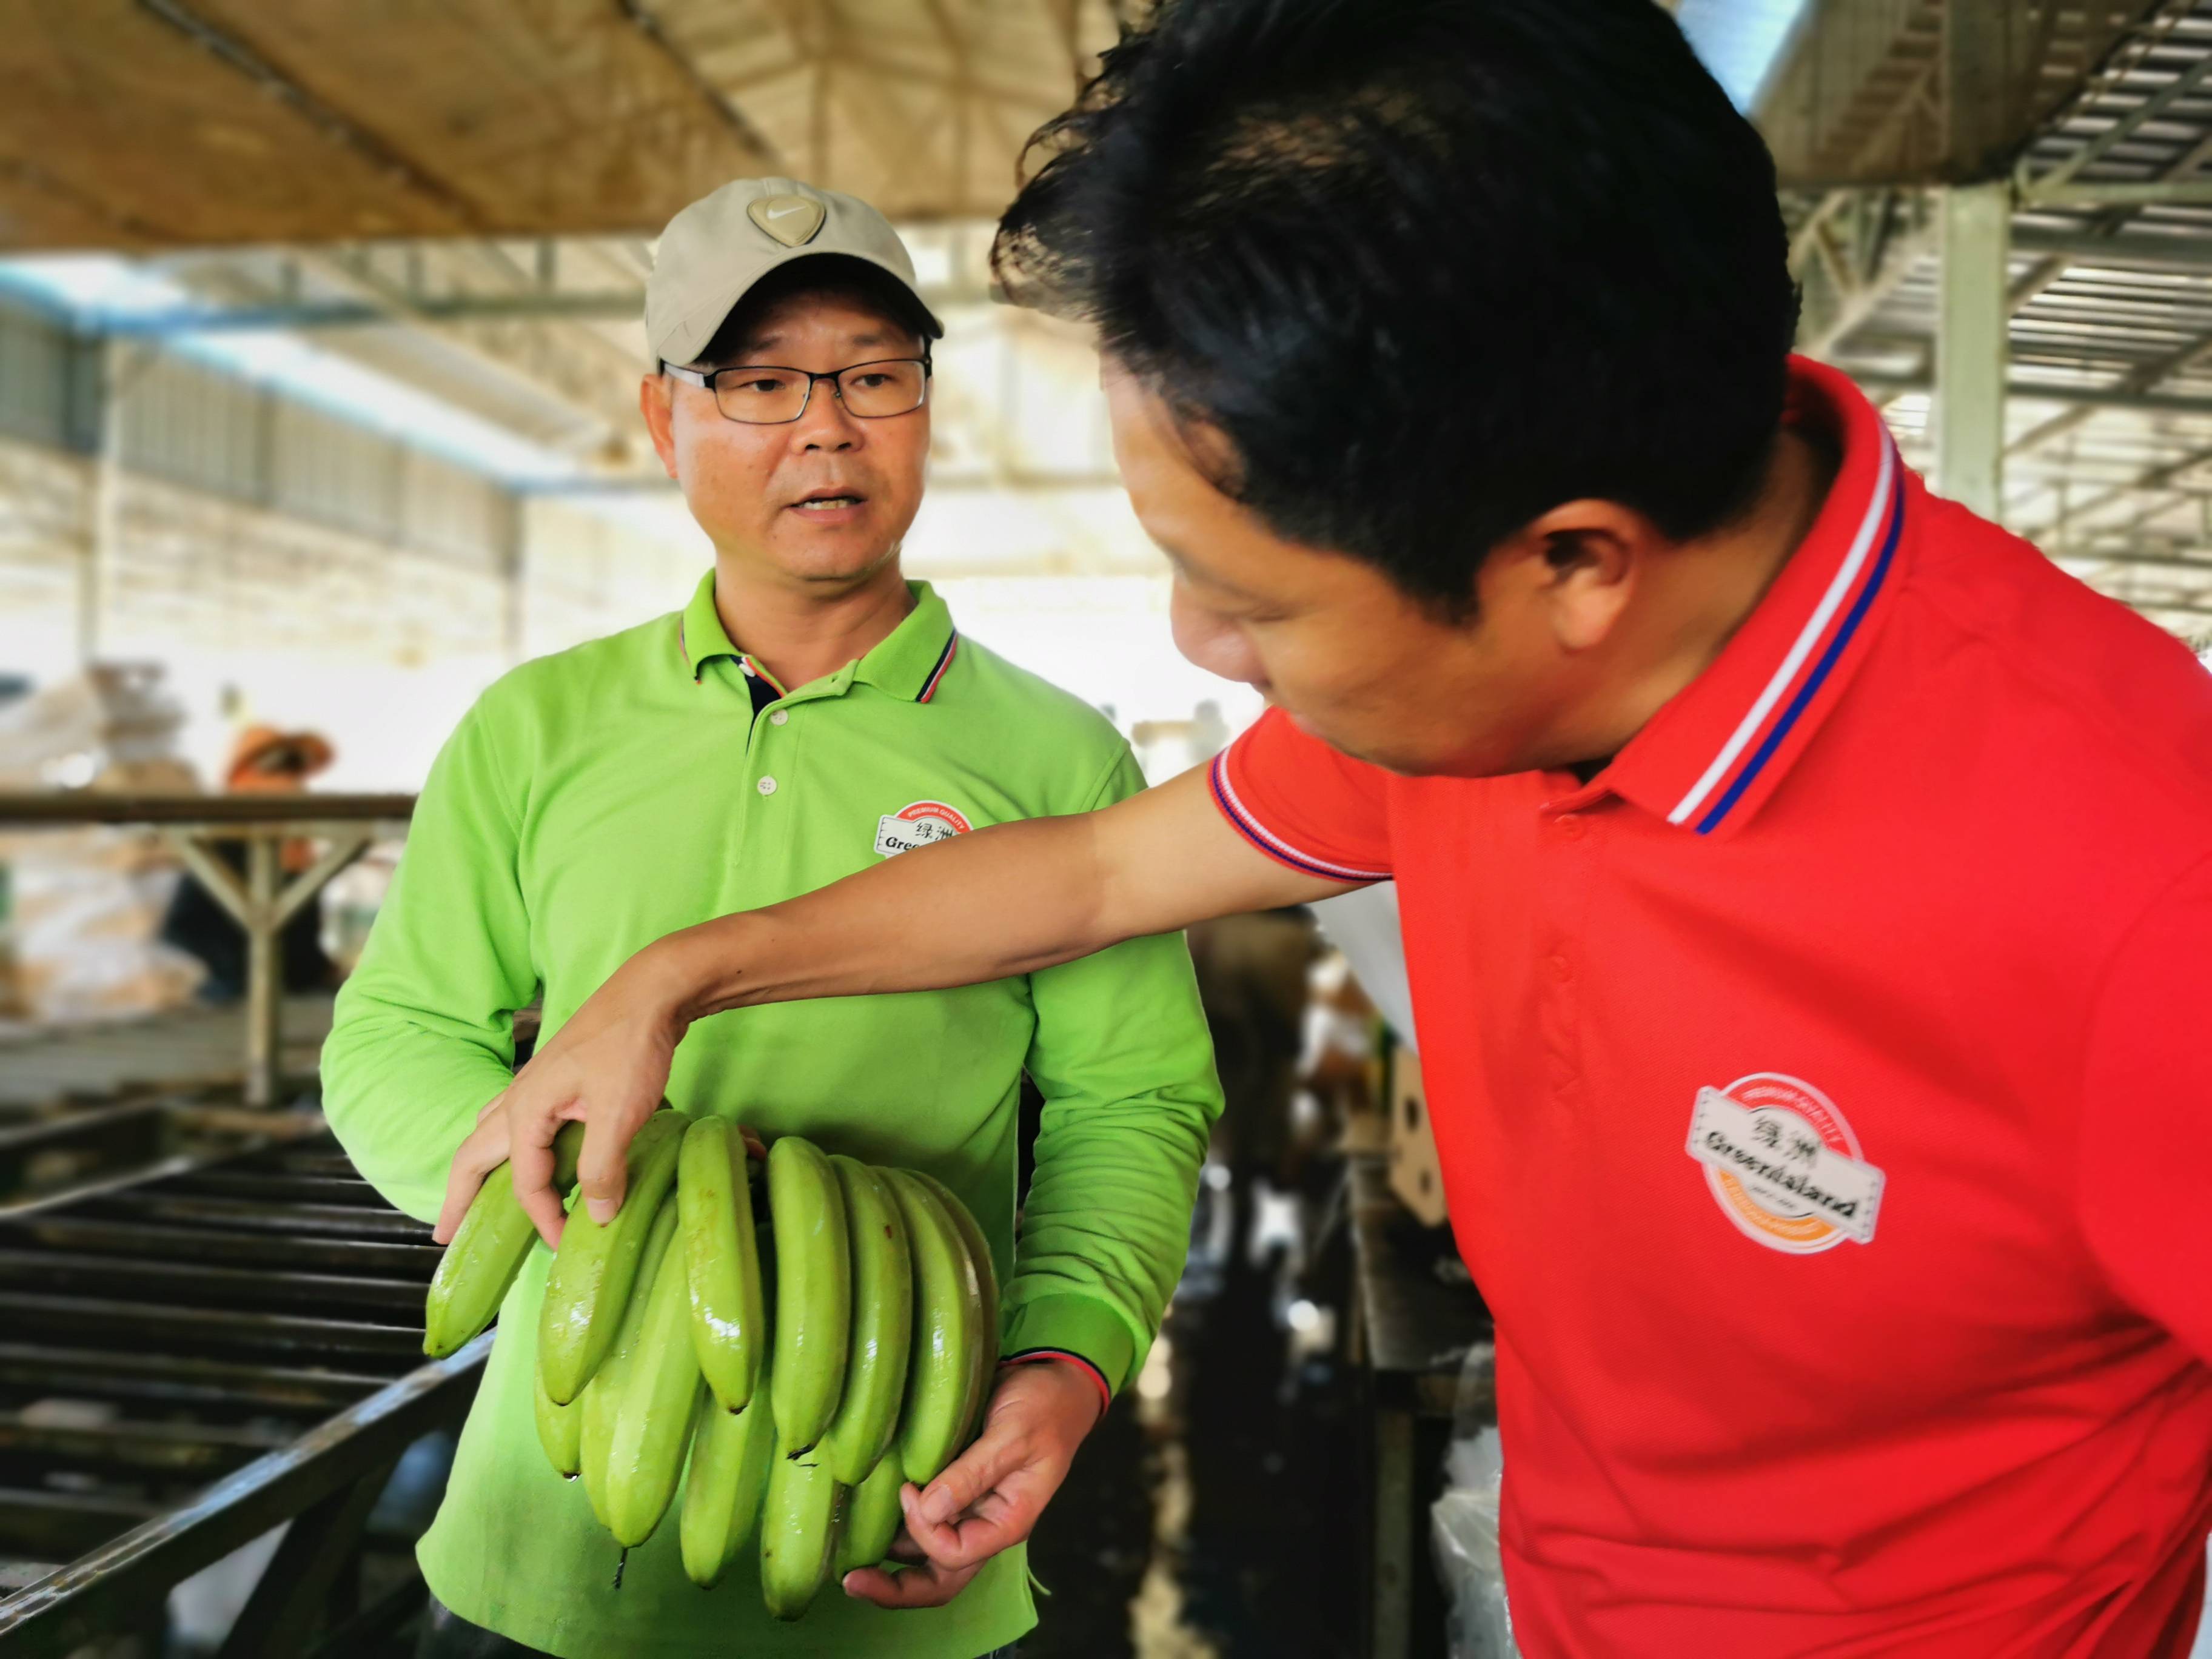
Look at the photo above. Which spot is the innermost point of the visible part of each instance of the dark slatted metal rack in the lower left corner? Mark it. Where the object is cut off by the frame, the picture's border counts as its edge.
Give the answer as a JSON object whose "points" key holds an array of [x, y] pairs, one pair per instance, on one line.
{"points": [[196, 1231]]}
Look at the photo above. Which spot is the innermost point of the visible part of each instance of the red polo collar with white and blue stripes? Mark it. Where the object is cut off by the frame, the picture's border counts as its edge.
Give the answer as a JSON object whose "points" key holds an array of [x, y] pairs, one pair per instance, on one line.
{"points": [[1722, 747]]}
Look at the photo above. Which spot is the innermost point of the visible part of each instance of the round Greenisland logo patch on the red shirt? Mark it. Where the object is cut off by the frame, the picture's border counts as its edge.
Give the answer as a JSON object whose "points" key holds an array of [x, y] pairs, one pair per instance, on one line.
{"points": [[1784, 1165]]}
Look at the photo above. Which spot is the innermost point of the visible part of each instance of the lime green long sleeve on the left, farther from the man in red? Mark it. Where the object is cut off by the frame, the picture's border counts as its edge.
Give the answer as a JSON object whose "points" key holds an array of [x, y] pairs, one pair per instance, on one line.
{"points": [[424, 1032]]}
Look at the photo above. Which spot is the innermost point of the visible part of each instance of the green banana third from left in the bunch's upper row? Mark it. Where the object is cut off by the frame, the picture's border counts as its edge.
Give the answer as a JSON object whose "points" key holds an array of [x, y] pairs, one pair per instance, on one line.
{"points": [[722, 1262]]}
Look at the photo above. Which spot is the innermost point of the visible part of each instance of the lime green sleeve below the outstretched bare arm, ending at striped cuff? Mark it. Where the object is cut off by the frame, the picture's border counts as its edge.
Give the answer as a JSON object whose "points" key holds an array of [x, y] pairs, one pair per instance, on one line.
{"points": [[1127, 1072]]}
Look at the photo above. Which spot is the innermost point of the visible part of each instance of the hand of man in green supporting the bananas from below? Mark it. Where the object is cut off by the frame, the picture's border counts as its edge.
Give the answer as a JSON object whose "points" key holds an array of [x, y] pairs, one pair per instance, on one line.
{"points": [[992, 1494]]}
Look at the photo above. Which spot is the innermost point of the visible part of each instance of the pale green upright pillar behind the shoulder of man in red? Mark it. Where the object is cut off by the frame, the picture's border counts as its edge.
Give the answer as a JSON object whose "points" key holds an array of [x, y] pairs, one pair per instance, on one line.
{"points": [[1970, 346]]}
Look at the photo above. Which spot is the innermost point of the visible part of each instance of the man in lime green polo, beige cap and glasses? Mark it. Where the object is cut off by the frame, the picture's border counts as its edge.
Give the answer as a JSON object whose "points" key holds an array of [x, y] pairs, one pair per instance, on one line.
{"points": [[808, 716]]}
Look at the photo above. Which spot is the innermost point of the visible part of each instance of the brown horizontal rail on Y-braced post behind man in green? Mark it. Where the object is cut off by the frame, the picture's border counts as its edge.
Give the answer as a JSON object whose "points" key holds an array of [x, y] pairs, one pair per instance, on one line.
{"points": [[262, 906]]}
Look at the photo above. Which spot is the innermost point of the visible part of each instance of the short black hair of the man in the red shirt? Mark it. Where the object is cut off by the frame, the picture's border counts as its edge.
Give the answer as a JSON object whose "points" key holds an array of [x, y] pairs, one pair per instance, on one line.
{"points": [[1430, 267]]}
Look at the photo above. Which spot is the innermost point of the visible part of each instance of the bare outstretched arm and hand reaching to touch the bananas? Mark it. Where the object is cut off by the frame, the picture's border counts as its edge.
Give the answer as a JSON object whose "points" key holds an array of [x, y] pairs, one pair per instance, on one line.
{"points": [[988, 906]]}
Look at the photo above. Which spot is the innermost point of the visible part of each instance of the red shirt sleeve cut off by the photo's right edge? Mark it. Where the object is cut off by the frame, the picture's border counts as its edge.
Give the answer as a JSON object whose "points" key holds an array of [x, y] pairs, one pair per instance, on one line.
{"points": [[2147, 1118]]}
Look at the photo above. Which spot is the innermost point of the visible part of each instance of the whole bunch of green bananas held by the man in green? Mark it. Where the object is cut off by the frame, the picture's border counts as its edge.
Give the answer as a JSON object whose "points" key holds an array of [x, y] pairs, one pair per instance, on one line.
{"points": [[791, 1373]]}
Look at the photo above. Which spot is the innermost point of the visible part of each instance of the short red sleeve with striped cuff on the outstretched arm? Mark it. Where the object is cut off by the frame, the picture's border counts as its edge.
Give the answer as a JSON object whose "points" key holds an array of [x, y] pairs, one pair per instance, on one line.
{"points": [[1304, 804]]}
